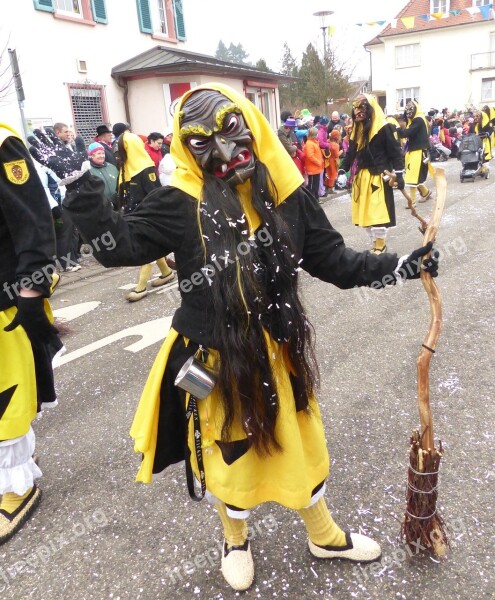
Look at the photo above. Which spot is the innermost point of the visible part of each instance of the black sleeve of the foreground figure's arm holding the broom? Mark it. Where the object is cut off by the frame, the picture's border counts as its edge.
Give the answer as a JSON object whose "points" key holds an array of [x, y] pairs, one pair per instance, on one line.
{"points": [[324, 252]]}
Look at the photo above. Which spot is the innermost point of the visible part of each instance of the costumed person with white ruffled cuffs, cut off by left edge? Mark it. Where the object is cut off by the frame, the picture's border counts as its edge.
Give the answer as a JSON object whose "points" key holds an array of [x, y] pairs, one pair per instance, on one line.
{"points": [[28, 340]]}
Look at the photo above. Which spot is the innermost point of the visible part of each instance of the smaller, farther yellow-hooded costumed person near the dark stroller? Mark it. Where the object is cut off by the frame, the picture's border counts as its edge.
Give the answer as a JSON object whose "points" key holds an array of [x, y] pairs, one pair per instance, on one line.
{"points": [[417, 155]]}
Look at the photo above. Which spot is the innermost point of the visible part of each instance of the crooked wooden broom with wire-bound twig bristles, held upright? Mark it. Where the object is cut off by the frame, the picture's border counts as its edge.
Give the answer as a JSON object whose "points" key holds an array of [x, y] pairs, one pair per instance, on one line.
{"points": [[422, 523]]}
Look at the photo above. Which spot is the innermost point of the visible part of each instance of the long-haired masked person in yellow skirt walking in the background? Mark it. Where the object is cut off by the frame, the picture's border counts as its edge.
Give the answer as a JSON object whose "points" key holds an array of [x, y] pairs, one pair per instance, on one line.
{"points": [[376, 149]]}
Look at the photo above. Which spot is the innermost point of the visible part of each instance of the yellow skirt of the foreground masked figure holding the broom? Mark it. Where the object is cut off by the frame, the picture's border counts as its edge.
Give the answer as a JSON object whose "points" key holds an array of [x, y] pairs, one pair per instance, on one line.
{"points": [[287, 477]]}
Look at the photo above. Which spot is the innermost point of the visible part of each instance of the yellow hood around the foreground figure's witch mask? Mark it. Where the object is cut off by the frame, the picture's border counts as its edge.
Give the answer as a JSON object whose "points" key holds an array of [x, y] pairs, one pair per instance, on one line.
{"points": [[188, 176]]}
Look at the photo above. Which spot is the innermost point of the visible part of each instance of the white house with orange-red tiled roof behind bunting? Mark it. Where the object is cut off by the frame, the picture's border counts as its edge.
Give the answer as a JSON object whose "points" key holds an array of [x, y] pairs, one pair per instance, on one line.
{"points": [[442, 56]]}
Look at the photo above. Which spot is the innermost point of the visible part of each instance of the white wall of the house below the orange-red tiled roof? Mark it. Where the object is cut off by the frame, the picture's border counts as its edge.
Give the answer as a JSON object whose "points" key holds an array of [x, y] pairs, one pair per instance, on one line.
{"points": [[443, 76]]}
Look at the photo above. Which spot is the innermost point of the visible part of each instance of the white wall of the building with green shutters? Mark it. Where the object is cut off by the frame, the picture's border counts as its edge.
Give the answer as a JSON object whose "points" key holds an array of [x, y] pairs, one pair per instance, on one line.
{"points": [[47, 50]]}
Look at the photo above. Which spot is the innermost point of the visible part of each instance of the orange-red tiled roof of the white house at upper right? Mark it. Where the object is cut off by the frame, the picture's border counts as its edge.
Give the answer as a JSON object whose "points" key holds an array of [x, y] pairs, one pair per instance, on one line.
{"points": [[417, 8]]}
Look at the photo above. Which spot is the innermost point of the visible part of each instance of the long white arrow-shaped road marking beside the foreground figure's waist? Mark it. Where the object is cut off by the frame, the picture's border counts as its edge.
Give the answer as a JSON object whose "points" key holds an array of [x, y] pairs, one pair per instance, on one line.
{"points": [[150, 332]]}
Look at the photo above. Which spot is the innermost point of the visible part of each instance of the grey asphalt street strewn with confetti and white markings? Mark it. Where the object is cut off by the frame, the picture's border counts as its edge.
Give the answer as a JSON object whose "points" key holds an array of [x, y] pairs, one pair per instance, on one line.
{"points": [[99, 535]]}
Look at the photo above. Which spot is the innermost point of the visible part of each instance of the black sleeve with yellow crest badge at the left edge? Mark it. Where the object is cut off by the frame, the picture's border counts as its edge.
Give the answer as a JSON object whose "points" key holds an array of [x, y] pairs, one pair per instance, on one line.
{"points": [[27, 219]]}
